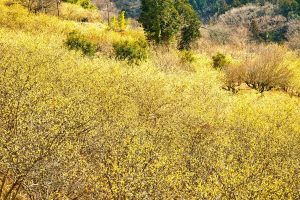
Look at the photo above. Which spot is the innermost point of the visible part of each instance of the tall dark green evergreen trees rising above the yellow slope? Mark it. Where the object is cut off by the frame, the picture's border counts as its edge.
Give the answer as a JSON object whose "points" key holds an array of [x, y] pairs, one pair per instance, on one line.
{"points": [[162, 21]]}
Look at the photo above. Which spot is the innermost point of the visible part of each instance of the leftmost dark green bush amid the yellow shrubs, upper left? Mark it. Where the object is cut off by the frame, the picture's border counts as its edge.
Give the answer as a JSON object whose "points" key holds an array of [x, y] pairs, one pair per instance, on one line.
{"points": [[78, 42]]}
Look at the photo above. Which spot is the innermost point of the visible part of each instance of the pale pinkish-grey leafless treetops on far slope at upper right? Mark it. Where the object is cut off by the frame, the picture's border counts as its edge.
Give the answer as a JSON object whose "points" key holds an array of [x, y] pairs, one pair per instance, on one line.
{"points": [[264, 22]]}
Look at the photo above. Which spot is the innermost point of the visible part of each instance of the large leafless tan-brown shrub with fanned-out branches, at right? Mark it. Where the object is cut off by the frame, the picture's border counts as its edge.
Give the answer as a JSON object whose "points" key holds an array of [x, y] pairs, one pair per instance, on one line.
{"points": [[264, 72]]}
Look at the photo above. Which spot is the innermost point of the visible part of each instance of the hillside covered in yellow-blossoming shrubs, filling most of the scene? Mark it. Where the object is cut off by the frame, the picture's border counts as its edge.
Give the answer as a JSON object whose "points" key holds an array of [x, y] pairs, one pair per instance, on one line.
{"points": [[75, 126]]}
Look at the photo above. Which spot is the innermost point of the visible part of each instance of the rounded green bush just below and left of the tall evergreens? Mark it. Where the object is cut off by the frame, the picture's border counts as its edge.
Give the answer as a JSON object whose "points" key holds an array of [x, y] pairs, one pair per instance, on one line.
{"points": [[132, 51]]}
